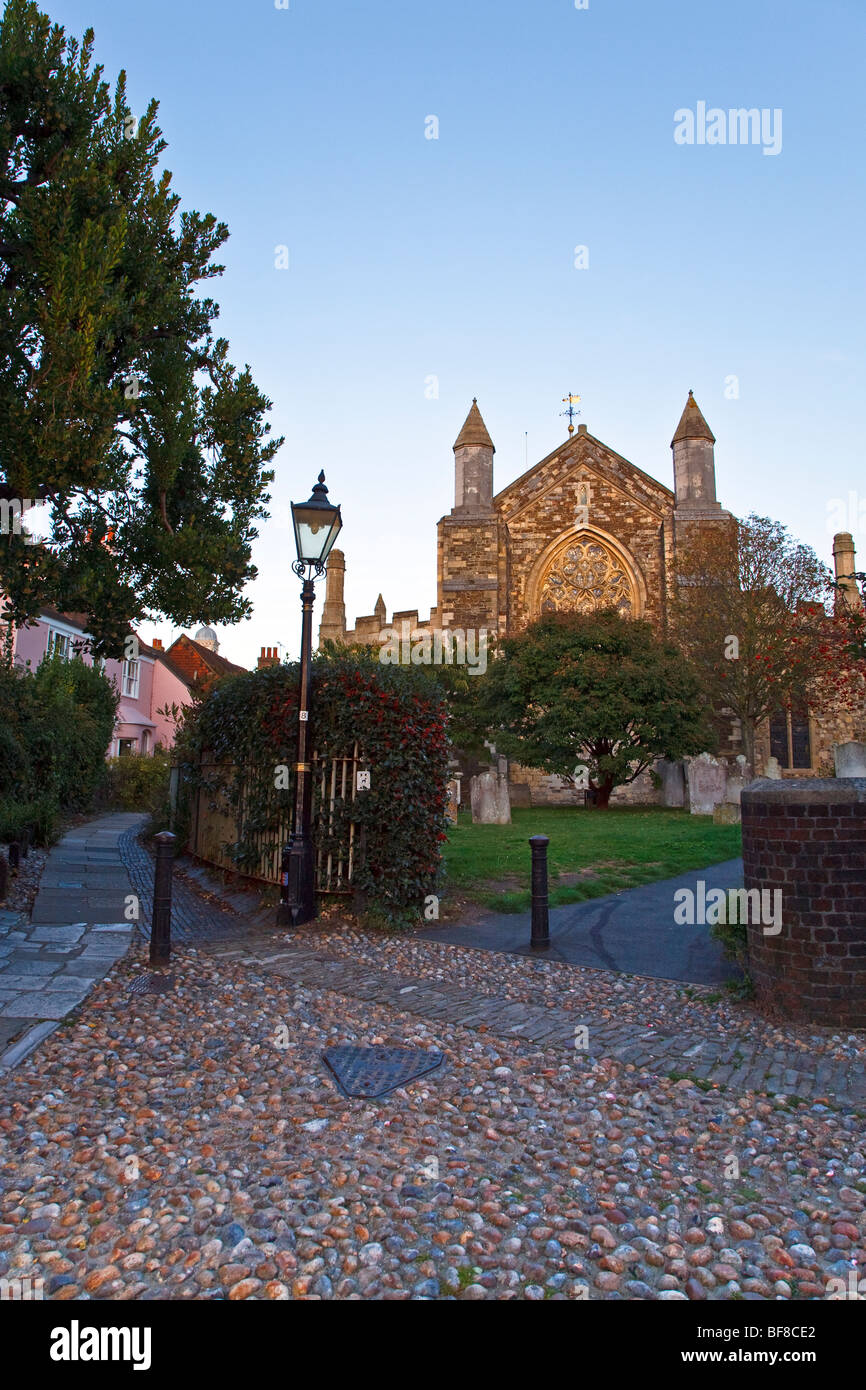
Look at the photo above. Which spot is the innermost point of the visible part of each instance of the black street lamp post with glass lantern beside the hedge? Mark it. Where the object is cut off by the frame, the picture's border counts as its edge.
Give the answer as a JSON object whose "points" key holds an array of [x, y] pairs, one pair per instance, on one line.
{"points": [[318, 525]]}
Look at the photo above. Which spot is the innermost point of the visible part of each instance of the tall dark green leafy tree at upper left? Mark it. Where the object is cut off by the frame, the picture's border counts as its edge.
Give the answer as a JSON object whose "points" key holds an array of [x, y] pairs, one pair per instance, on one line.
{"points": [[119, 407]]}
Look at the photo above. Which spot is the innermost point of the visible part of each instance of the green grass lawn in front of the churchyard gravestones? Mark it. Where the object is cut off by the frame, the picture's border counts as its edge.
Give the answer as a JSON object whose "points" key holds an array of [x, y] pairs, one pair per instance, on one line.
{"points": [[591, 853]]}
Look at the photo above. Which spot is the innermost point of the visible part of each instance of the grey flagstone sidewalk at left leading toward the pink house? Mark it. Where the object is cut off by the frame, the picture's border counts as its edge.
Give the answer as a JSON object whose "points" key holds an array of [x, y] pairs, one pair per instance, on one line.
{"points": [[76, 935]]}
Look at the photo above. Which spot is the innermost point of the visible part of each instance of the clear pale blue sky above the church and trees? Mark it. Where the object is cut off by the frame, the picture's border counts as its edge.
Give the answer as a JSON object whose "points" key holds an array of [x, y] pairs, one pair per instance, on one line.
{"points": [[455, 258]]}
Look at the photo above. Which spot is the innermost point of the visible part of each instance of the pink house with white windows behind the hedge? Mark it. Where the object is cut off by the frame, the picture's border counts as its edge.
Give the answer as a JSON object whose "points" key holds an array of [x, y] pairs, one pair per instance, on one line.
{"points": [[148, 680]]}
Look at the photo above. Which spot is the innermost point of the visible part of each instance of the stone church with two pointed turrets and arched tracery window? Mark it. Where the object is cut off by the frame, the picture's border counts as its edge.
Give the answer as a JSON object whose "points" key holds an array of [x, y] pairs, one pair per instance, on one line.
{"points": [[583, 529]]}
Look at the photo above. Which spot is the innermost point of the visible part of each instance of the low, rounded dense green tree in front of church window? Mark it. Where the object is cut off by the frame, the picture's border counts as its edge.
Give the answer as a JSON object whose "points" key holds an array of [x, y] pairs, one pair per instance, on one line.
{"points": [[591, 690]]}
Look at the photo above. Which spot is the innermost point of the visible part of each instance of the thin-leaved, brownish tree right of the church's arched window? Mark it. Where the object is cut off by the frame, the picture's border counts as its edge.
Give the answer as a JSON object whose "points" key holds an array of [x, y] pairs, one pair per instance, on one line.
{"points": [[750, 615]]}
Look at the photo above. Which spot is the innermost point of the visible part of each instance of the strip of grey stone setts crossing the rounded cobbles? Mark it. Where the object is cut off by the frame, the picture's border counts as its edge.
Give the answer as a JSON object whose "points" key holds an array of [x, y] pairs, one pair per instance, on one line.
{"points": [[735, 1064]]}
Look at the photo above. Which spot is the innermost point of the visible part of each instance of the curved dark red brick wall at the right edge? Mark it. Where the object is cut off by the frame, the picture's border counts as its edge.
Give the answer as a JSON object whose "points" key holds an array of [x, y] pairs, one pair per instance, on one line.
{"points": [[808, 839]]}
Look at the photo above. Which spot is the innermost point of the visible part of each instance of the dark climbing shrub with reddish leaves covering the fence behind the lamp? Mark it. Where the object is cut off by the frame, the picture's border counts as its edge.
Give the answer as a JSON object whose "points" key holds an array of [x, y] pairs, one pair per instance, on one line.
{"points": [[247, 729]]}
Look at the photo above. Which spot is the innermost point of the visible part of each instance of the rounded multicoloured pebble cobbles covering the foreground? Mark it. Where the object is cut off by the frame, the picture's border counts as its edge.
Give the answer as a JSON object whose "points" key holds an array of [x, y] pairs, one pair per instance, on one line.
{"points": [[194, 1146]]}
